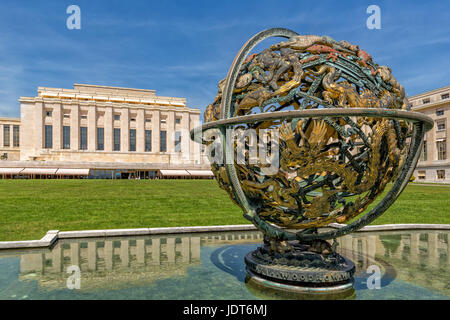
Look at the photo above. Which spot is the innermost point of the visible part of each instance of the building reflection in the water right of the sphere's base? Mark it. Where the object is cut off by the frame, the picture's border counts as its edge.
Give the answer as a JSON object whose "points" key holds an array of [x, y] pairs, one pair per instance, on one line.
{"points": [[419, 257]]}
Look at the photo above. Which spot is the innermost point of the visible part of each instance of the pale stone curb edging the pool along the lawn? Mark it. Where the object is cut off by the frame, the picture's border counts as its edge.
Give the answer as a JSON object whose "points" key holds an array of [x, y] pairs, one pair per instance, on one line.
{"points": [[53, 235]]}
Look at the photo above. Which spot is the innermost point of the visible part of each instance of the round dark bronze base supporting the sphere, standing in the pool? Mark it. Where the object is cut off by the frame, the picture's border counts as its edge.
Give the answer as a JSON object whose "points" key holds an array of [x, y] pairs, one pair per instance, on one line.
{"points": [[300, 271]]}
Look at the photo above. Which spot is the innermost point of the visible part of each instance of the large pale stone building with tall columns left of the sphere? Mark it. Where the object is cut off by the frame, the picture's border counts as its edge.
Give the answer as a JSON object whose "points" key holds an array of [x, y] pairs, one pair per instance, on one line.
{"points": [[102, 128]]}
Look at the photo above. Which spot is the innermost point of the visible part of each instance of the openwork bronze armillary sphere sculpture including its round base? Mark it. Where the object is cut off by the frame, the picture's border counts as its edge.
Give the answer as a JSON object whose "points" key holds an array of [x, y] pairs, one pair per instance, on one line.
{"points": [[343, 133]]}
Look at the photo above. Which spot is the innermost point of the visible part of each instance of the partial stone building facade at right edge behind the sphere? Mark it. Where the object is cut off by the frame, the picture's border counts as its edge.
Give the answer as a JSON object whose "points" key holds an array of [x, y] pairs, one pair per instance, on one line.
{"points": [[434, 161]]}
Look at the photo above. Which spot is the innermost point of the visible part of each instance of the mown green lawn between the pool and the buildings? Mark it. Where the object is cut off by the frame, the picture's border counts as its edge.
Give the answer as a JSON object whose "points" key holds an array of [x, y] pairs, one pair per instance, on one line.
{"points": [[29, 208]]}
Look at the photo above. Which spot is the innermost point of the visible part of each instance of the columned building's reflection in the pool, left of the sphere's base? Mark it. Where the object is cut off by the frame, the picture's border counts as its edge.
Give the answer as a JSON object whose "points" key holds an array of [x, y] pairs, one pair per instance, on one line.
{"points": [[125, 262]]}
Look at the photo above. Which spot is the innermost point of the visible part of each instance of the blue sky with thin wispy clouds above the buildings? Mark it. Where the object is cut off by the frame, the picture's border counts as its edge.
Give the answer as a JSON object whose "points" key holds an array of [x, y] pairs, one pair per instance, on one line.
{"points": [[183, 48]]}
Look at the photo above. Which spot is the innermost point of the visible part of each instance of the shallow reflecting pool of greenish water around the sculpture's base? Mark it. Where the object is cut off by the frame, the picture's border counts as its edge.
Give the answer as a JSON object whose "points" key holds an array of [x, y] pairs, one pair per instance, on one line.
{"points": [[410, 265]]}
